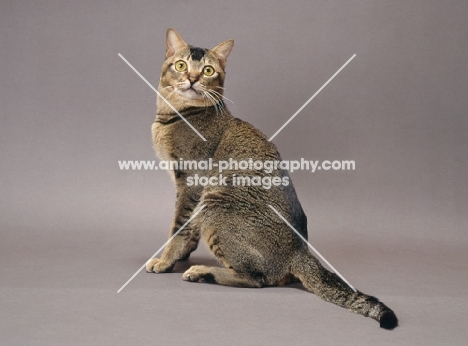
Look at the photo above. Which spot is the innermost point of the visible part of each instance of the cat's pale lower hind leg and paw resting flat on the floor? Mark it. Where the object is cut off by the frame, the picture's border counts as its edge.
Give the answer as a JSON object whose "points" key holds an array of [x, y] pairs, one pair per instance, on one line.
{"points": [[222, 276]]}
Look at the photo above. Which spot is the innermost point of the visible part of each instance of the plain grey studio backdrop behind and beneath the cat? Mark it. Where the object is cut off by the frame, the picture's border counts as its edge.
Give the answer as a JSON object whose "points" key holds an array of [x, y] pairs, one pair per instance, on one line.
{"points": [[74, 227]]}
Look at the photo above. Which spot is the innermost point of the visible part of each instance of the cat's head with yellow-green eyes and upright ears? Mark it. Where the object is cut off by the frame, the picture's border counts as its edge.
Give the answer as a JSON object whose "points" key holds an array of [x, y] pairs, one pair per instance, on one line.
{"points": [[192, 76]]}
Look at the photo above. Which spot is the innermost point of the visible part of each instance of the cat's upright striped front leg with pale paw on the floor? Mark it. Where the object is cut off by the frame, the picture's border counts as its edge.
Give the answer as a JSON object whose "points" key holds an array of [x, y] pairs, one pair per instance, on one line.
{"points": [[186, 241]]}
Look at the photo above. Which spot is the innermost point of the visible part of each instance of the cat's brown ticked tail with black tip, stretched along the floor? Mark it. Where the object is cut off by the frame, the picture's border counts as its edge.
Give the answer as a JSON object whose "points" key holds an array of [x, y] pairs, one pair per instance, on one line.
{"points": [[331, 288]]}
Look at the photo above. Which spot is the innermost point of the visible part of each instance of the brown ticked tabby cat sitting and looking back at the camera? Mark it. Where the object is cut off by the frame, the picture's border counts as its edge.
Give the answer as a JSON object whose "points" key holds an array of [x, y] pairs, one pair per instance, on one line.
{"points": [[255, 246]]}
